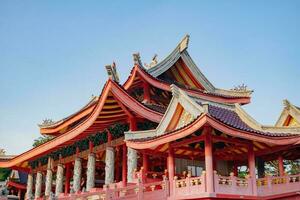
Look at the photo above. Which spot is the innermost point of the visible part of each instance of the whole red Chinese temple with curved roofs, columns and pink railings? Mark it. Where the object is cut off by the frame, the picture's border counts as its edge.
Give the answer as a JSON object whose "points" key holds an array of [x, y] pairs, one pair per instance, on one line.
{"points": [[166, 133]]}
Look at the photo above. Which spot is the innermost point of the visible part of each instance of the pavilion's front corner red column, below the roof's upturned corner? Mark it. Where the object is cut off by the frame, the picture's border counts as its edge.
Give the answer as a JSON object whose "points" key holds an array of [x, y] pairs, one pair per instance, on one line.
{"points": [[209, 161]]}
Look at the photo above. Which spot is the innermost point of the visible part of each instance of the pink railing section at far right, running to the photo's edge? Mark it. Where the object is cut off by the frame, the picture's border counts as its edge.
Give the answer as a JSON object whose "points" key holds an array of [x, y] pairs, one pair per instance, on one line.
{"points": [[278, 185]]}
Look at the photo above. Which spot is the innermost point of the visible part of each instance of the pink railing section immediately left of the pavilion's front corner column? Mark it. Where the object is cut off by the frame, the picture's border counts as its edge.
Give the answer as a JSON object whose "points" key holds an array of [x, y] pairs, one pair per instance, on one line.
{"points": [[188, 187]]}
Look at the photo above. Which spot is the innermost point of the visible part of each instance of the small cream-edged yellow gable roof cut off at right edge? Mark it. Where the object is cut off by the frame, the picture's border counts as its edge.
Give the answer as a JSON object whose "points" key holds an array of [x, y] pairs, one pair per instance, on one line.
{"points": [[290, 115]]}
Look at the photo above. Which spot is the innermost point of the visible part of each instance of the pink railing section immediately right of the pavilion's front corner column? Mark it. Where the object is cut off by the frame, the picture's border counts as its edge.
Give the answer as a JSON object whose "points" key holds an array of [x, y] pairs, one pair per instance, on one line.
{"points": [[232, 185]]}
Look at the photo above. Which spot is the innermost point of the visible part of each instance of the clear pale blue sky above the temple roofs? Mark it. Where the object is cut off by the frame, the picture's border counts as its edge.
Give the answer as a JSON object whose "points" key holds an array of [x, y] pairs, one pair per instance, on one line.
{"points": [[53, 53]]}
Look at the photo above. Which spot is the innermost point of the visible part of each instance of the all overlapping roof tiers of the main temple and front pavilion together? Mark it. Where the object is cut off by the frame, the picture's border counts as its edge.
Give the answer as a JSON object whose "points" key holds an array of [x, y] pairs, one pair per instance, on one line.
{"points": [[189, 98]]}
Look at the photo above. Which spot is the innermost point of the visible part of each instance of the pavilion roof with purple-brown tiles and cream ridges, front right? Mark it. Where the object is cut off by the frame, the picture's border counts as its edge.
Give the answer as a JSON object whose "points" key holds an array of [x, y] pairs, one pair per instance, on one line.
{"points": [[228, 118]]}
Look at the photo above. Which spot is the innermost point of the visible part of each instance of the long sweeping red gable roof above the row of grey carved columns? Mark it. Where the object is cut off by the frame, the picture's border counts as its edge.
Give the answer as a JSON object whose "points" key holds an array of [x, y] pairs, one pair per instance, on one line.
{"points": [[97, 120]]}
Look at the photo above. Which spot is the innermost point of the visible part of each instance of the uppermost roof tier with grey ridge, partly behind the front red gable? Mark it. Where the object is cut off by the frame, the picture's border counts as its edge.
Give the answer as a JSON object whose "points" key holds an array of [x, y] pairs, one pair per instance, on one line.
{"points": [[179, 54]]}
